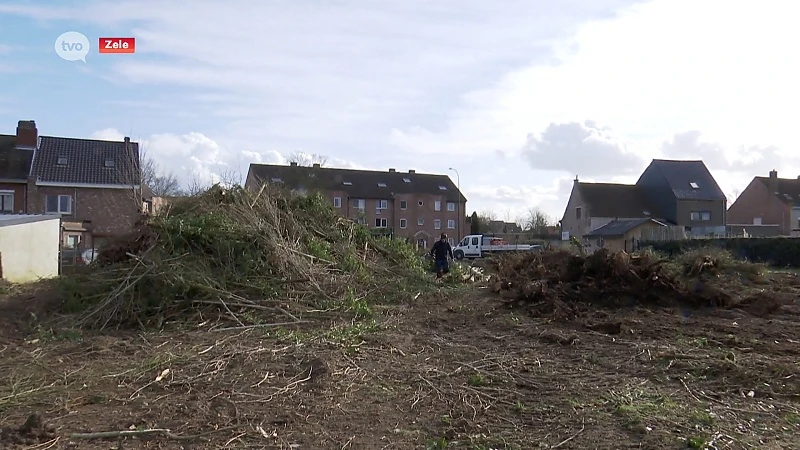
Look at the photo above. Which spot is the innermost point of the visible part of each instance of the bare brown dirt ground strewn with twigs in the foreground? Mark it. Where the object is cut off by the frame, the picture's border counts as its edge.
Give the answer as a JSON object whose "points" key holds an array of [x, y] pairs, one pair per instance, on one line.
{"points": [[459, 368]]}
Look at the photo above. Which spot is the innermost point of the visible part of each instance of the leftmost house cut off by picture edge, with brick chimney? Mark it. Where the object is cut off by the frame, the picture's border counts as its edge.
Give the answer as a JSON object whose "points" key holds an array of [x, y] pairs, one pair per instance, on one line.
{"points": [[16, 156]]}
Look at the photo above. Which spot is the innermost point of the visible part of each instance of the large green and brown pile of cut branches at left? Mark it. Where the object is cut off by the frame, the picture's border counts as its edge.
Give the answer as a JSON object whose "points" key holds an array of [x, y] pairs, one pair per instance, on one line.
{"points": [[232, 247]]}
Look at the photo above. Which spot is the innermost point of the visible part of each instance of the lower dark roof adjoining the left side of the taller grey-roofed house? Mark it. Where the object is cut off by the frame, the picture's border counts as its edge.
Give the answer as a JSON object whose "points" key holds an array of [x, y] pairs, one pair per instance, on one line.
{"points": [[615, 200]]}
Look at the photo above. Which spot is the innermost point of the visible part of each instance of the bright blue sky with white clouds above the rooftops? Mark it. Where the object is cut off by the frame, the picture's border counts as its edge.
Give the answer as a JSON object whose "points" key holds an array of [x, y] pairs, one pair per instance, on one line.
{"points": [[519, 97]]}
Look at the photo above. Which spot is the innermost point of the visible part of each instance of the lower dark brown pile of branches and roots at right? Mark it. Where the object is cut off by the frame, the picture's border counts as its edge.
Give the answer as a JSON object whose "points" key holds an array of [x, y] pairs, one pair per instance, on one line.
{"points": [[561, 283]]}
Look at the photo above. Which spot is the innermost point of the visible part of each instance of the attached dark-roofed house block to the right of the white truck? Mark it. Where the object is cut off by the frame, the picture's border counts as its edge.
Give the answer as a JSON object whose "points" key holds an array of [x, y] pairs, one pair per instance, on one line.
{"points": [[673, 193]]}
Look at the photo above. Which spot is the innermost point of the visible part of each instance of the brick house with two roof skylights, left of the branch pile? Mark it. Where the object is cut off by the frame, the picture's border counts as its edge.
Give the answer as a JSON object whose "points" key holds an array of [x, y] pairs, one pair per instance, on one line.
{"points": [[95, 186]]}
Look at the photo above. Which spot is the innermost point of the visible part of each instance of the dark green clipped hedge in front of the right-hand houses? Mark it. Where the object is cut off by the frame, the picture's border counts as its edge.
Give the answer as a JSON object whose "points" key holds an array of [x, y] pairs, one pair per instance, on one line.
{"points": [[781, 251]]}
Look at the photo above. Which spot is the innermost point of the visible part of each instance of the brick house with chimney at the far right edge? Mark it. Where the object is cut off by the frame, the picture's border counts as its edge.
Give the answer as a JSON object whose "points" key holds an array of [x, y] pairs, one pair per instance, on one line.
{"points": [[768, 206]]}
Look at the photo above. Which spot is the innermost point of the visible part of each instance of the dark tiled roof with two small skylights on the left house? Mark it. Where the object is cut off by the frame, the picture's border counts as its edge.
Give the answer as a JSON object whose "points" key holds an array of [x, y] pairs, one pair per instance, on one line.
{"points": [[84, 161]]}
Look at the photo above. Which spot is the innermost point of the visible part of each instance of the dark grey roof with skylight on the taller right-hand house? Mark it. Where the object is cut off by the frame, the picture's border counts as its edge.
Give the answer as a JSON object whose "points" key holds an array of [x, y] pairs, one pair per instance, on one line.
{"points": [[689, 180]]}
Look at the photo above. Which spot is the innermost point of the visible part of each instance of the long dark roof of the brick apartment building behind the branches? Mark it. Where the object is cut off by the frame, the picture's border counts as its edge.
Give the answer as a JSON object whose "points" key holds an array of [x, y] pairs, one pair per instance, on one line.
{"points": [[360, 183]]}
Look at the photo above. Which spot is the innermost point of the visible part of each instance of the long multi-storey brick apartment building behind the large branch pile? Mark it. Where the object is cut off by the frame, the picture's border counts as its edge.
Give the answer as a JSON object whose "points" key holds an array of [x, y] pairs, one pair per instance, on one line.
{"points": [[415, 206]]}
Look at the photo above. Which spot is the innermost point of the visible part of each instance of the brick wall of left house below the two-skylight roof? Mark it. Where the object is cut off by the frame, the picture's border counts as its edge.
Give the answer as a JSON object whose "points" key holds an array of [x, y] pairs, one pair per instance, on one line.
{"points": [[110, 211]]}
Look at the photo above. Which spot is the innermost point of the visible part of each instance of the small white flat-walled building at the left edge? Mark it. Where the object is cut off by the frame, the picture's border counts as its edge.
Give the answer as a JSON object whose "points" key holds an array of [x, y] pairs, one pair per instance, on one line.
{"points": [[29, 247]]}
